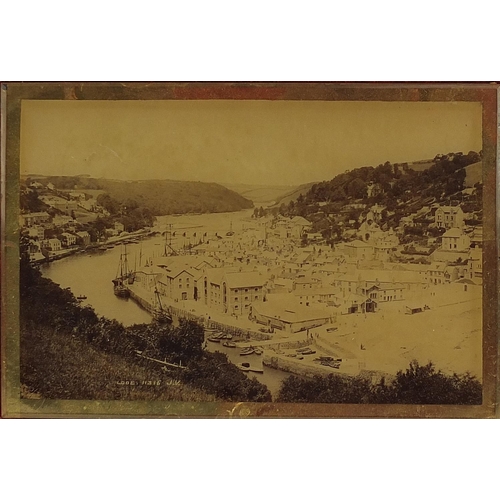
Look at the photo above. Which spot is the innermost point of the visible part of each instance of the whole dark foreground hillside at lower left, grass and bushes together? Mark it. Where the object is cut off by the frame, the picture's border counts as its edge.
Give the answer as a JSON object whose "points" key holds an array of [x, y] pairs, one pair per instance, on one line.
{"points": [[69, 352]]}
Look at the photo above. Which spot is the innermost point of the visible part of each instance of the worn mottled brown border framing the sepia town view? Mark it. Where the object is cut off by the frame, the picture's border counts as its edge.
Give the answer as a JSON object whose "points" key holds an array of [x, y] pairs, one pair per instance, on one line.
{"points": [[13, 406]]}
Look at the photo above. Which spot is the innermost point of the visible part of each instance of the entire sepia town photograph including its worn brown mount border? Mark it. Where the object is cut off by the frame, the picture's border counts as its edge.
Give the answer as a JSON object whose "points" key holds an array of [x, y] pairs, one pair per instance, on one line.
{"points": [[249, 250]]}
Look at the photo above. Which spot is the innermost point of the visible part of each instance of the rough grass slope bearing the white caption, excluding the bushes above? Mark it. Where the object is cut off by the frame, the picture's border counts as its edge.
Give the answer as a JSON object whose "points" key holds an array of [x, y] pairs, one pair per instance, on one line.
{"points": [[60, 366]]}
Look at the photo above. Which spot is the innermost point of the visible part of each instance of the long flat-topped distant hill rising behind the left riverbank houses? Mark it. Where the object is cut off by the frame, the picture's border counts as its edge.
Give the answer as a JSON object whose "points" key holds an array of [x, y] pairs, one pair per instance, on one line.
{"points": [[161, 197]]}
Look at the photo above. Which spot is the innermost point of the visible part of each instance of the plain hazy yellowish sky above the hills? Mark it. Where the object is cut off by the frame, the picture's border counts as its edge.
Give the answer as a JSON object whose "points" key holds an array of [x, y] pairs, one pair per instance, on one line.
{"points": [[238, 142]]}
